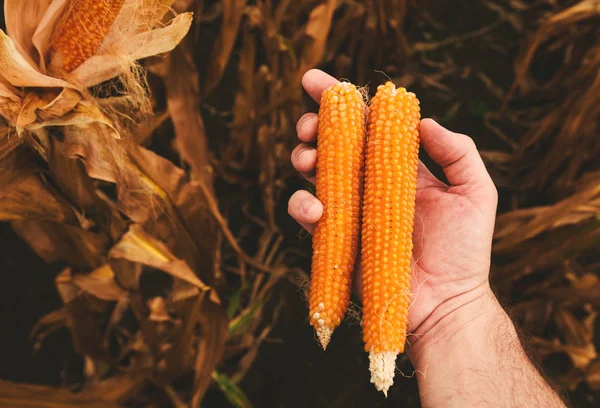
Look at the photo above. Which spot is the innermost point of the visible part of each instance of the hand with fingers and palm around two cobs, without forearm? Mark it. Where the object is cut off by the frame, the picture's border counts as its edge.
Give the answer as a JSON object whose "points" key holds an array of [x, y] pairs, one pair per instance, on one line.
{"points": [[453, 224]]}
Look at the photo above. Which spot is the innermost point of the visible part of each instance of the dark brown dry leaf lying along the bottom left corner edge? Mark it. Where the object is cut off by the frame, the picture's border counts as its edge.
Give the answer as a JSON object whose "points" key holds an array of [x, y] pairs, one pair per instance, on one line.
{"points": [[36, 396]]}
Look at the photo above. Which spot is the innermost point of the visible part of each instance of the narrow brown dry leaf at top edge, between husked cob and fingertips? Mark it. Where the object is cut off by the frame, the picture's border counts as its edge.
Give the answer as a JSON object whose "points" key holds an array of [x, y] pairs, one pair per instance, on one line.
{"points": [[233, 10]]}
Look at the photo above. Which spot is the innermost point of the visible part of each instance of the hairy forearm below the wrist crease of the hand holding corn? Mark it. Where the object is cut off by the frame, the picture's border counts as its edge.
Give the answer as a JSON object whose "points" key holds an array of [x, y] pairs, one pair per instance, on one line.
{"points": [[471, 355]]}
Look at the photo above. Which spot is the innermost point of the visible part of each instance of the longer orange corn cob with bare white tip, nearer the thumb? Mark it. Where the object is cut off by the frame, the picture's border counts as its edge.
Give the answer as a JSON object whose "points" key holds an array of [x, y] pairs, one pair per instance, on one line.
{"points": [[388, 218]]}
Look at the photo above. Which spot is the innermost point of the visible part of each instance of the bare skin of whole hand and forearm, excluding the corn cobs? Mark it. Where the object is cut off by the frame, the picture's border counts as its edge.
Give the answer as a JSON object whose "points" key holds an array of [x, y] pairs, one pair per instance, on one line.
{"points": [[463, 346]]}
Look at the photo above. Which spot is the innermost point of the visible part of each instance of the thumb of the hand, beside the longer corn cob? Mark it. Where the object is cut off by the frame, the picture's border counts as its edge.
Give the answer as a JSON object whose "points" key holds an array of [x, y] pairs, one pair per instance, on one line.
{"points": [[457, 155]]}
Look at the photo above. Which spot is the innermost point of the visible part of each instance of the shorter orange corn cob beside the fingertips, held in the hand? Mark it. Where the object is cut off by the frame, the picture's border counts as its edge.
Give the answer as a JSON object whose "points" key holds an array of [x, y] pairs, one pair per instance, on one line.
{"points": [[340, 161]]}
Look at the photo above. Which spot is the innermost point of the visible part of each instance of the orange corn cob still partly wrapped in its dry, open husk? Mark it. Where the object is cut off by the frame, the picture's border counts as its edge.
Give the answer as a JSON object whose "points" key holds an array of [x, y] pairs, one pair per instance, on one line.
{"points": [[81, 31]]}
